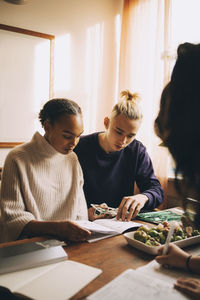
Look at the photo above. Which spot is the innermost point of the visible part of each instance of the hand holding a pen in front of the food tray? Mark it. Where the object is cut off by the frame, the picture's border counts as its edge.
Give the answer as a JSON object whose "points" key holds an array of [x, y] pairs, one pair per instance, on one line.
{"points": [[175, 257]]}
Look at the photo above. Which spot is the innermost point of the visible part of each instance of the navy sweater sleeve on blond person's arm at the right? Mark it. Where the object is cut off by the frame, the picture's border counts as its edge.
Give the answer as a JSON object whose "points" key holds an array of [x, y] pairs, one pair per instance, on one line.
{"points": [[147, 182]]}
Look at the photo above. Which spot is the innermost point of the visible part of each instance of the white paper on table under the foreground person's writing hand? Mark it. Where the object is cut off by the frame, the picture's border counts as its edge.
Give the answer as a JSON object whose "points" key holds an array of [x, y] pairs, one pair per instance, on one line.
{"points": [[132, 284]]}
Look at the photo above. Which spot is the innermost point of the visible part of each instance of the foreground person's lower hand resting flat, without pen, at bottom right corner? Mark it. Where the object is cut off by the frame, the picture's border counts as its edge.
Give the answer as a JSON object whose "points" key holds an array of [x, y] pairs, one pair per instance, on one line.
{"points": [[189, 286]]}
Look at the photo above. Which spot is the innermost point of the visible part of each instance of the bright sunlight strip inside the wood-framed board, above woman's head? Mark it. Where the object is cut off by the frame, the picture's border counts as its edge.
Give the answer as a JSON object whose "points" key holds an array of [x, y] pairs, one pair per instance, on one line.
{"points": [[41, 80]]}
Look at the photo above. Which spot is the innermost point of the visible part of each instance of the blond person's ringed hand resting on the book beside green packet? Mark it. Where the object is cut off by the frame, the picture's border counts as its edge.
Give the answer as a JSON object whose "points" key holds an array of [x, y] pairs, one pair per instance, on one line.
{"points": [[131, 206]]}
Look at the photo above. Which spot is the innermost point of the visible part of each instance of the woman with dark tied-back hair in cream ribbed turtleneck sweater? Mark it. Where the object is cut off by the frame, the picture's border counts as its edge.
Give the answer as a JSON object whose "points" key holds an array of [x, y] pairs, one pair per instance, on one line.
{"points": [[41, 189]]}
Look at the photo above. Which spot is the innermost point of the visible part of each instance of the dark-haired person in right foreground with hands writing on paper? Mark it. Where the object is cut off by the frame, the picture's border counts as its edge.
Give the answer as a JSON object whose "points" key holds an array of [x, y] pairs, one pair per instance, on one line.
{"points": [[178, 126]]}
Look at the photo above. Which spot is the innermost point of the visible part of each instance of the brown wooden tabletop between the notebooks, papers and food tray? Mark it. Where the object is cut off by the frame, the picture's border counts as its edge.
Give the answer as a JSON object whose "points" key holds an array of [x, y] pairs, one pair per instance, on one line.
{"points": [[112, 255]]}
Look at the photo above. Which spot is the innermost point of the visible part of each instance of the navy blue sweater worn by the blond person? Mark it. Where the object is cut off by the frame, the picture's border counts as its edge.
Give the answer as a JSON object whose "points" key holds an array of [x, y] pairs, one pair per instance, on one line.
{"points": [[110, 177]]}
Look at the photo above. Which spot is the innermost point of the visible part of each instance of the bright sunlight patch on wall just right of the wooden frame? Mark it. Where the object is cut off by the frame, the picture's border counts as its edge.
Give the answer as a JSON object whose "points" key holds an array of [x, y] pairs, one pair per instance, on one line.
{"points": [[62, 69]]}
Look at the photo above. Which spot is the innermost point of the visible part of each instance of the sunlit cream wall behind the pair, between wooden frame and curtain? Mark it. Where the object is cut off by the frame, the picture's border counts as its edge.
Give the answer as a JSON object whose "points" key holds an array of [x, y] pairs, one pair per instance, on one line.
{"points": [[86, 50]]}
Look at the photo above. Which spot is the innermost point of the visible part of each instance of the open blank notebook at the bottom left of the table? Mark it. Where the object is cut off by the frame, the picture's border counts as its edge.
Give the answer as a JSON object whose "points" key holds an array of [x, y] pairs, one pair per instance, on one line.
{"points": [[58, 281]]}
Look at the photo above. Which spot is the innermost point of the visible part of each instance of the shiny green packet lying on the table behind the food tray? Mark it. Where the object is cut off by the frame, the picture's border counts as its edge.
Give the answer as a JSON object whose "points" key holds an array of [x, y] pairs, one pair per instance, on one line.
{"points": [[159, 216]]}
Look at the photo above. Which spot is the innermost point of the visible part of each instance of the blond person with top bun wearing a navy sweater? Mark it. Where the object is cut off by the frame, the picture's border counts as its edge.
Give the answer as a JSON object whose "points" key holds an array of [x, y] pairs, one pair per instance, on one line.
{"points": [[113, 160]]}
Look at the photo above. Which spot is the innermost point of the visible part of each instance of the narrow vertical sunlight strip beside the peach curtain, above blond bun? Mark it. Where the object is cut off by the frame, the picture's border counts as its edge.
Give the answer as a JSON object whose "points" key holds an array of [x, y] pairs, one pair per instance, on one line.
{"points": [[117, 45]]}
